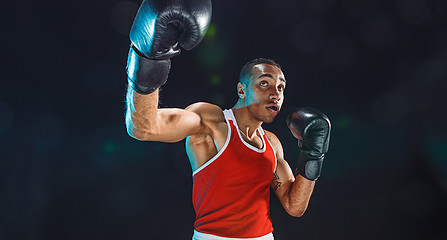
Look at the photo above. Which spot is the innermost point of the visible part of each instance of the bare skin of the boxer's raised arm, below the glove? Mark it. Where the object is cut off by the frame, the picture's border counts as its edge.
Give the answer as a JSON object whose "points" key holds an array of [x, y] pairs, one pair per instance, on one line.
{"points": [[146, 122]]}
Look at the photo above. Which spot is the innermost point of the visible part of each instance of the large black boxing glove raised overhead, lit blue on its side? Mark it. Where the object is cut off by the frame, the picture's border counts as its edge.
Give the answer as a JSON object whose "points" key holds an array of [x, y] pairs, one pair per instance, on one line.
{"points": [[159, 29]]}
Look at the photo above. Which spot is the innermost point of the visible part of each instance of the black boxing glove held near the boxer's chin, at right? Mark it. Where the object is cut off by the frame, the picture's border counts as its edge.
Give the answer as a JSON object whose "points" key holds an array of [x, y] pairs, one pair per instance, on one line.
{"points": [[312, 129]]}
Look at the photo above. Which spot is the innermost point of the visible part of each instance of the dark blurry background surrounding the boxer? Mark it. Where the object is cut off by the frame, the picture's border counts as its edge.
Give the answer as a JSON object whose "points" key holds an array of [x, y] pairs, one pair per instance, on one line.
{"points": [[377, 68]]}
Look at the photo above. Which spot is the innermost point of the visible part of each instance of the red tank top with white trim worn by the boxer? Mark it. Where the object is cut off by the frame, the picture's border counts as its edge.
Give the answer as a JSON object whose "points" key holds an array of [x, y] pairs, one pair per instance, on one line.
{"points": [[231, 192]]}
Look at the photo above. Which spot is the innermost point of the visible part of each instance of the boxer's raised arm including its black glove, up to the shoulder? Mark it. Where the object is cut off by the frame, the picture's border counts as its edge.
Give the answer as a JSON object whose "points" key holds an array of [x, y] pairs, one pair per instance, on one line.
{"points": [[160, 28]]}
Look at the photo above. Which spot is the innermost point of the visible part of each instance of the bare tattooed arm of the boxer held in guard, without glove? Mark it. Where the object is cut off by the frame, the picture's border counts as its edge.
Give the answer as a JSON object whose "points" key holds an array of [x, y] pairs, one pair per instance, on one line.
{"points": [[293, 193]]}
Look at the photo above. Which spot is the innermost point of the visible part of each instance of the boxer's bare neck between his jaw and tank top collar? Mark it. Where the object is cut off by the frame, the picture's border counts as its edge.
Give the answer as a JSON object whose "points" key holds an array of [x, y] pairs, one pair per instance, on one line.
{"points": [[245, 121]]}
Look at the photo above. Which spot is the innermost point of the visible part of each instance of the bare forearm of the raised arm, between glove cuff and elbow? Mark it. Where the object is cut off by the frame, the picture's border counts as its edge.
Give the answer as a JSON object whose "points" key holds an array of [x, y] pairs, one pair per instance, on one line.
{"points": [[141, 114]]}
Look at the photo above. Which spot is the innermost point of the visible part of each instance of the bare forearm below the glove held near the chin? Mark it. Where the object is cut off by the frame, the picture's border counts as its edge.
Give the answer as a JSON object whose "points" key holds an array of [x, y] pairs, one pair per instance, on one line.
{"points": [[299, 195]]}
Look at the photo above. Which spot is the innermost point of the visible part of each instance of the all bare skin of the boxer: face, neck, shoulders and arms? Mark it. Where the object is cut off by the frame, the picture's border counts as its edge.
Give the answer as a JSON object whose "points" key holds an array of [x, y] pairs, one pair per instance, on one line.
{"points": [[204, 127]]}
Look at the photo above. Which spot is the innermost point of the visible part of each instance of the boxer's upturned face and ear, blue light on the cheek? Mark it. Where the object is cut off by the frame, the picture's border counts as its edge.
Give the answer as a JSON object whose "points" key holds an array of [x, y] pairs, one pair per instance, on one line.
{"points": [[264, 93]]}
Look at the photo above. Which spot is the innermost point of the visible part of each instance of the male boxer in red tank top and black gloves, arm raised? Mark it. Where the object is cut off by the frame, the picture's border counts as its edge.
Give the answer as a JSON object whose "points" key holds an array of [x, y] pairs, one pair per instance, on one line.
{"points": [[234, 161]]}
